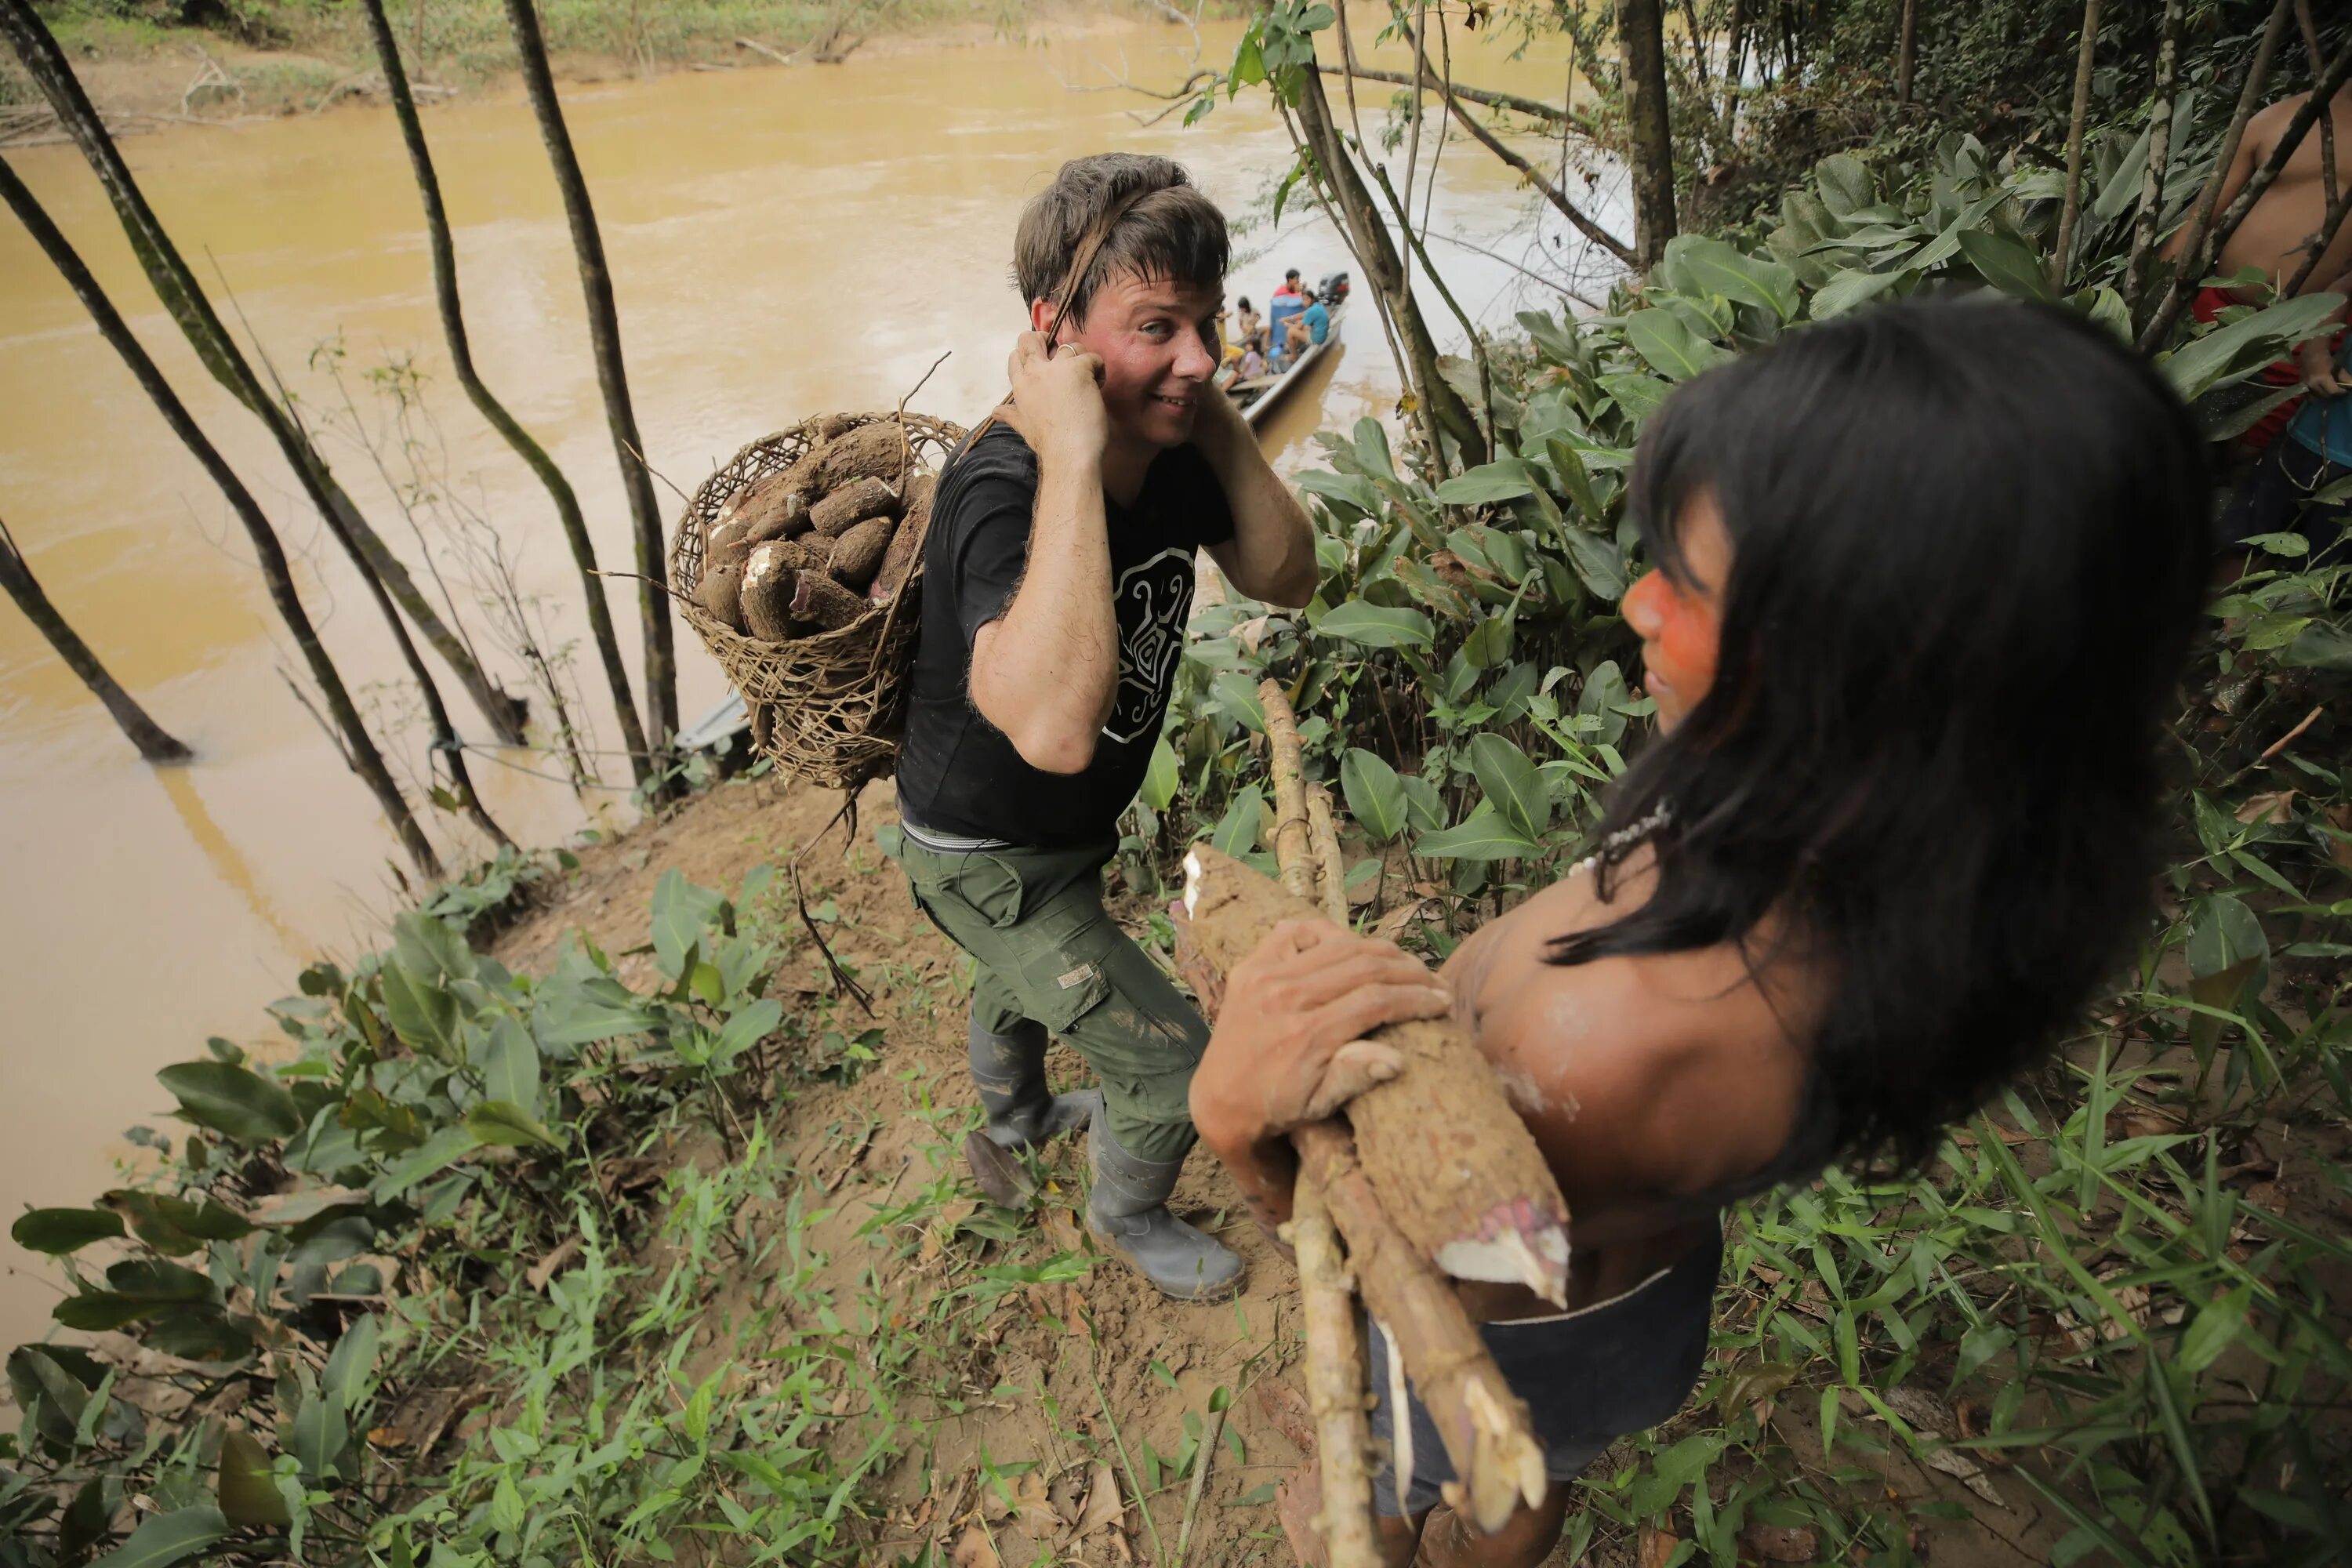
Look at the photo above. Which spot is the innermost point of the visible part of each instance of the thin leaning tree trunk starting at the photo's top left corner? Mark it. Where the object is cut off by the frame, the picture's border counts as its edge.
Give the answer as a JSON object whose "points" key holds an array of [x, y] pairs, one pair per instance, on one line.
{"points": [[185, 300]]}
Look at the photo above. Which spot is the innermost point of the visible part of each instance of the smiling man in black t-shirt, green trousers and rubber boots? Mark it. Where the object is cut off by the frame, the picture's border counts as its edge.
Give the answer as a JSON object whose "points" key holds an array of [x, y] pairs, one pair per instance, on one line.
{"points": [[1057, 584]]}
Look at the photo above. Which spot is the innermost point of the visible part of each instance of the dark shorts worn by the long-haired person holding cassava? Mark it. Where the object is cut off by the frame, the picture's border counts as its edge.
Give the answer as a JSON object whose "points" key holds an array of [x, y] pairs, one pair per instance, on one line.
{"points": [[1589, 1376]]}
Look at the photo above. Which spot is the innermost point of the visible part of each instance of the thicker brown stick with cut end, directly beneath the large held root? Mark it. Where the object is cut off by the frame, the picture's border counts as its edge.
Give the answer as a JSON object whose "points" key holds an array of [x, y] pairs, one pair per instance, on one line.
{"points": [[1478, 1419]]}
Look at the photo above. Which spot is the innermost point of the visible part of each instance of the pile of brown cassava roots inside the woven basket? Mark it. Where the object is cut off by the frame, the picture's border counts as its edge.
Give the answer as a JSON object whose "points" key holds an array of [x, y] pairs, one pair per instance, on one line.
{"points": [[820, 544]]}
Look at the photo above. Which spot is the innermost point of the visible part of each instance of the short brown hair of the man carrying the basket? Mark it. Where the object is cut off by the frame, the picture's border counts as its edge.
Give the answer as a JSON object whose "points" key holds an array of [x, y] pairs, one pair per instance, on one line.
{"points": [[1165, 229]]}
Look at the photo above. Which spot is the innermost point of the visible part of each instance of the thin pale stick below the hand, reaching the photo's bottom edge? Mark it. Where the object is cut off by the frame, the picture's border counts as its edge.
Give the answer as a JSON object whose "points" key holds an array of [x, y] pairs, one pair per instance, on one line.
{"points": [[1335, 1383]]}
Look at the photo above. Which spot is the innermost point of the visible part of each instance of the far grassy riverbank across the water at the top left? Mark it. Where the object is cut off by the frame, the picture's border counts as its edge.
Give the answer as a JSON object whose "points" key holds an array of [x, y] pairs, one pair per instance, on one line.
{"points": [[265, 60]]}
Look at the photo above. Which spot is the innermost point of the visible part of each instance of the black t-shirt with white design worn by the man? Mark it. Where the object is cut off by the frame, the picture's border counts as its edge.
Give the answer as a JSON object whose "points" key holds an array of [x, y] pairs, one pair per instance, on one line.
{"points": [[958, 775]]}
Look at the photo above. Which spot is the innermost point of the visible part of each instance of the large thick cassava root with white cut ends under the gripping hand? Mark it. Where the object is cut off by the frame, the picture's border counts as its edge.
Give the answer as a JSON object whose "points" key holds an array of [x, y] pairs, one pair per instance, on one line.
{"points": [[1443, 1146]]}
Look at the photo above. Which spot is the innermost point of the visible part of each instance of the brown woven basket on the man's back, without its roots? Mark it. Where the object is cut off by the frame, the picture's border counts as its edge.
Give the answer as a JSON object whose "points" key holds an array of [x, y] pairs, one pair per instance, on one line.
{"points": [[824, 709]]}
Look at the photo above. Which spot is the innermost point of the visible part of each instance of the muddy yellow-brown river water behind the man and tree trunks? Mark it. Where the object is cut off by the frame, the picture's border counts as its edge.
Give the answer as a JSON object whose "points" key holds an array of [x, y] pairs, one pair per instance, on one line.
{"points": [[782, 243]]}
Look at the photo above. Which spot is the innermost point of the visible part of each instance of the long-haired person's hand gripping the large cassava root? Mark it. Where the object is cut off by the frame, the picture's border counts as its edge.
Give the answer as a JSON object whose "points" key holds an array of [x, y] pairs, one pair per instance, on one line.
{"points": [[1290, 1043]]}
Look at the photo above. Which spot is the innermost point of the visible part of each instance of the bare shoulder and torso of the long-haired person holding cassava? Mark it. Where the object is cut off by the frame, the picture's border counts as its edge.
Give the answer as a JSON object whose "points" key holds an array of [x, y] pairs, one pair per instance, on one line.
{"points": [[1645, 1080]]}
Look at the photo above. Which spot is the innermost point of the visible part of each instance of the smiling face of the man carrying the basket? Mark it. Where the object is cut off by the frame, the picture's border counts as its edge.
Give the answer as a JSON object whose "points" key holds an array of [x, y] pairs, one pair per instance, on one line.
{"points": [[1158, 347]]}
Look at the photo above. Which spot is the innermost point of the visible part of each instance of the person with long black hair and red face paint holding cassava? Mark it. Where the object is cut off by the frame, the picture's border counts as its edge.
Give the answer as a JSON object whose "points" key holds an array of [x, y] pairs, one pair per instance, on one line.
{"points": [[1925, 579]]}
